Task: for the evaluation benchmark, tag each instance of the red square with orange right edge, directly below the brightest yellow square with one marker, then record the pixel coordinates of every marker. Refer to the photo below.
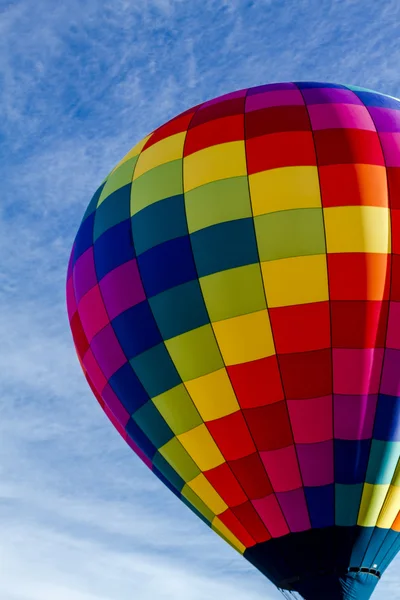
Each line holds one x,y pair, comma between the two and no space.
359,276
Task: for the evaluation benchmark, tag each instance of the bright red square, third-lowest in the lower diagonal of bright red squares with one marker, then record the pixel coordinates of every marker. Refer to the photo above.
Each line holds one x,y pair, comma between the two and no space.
232,436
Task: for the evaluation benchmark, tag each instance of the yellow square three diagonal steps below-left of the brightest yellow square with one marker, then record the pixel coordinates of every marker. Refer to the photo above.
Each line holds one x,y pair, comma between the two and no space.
213,395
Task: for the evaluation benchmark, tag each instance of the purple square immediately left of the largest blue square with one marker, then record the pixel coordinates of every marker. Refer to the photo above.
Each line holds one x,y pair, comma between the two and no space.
122,288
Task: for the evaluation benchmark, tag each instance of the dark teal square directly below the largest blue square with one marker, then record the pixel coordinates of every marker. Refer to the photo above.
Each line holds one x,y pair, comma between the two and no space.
179,309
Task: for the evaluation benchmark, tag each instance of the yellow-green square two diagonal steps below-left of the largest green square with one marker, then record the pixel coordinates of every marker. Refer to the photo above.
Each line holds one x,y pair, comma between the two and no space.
195,353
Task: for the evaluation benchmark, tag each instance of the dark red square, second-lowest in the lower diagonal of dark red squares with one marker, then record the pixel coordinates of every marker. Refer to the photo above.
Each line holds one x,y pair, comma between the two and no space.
251,474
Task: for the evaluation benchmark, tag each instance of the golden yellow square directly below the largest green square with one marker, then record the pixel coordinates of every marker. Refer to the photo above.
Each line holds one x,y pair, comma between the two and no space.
297,280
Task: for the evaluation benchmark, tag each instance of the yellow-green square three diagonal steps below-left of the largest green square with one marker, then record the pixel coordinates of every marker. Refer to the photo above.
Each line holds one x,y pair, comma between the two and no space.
178,410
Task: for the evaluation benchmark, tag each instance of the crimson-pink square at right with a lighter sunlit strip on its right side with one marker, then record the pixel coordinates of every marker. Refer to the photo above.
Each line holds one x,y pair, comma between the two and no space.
357,371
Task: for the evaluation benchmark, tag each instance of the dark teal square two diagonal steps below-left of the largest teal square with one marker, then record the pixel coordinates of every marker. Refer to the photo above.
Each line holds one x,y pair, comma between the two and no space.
156,370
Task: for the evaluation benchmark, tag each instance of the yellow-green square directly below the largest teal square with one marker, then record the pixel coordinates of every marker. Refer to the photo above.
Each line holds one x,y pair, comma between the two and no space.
233,292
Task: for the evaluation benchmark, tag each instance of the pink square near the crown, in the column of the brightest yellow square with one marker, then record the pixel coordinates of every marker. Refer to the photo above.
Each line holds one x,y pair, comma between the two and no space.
346,116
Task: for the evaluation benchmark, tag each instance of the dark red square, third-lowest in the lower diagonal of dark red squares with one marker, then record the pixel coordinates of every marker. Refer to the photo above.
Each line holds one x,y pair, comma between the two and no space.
269,426
